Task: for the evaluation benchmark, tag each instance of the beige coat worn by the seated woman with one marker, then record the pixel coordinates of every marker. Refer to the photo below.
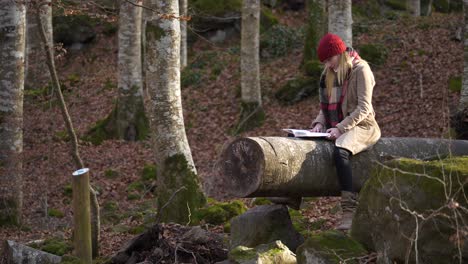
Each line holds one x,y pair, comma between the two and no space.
359,129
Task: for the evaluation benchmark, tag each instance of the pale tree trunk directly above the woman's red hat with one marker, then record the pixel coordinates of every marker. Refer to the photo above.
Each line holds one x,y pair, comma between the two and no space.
340,20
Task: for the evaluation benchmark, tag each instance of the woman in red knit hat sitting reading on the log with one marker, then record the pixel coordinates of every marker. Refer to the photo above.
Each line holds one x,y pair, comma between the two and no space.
346,113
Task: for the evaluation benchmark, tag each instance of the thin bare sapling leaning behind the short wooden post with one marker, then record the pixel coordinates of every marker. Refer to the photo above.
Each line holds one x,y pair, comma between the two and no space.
95,214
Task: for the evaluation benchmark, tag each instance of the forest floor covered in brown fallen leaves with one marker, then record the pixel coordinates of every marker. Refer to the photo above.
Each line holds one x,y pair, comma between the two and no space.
411,99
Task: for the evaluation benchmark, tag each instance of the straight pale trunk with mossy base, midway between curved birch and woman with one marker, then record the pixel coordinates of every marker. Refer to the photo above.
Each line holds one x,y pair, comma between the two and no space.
252,113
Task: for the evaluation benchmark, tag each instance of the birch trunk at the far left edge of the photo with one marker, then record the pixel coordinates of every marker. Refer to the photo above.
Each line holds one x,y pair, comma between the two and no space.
12,58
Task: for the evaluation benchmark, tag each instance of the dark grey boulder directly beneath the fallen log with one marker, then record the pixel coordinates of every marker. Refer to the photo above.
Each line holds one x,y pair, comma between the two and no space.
264,224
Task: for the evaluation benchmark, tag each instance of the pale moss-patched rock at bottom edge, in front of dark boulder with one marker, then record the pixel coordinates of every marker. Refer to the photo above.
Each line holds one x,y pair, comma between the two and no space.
274,253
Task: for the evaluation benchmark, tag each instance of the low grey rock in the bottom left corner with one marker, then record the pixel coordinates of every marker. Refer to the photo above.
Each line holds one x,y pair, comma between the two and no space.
15,253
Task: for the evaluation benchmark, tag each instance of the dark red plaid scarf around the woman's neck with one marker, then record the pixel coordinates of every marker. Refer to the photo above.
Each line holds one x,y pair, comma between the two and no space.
331,106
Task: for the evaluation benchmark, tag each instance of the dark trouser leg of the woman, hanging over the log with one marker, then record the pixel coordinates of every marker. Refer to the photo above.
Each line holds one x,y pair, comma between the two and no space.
343,168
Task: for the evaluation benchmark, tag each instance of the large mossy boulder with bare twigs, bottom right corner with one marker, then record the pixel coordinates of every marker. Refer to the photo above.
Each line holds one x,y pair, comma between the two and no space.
403,192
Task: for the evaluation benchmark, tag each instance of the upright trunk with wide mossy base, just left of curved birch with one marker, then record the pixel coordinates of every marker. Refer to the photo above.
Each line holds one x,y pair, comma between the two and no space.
130,119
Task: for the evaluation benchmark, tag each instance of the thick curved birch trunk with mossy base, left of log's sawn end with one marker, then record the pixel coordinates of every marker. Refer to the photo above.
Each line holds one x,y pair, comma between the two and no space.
179,192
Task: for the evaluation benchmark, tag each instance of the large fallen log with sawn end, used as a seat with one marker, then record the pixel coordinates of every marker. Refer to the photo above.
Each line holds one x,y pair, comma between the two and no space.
286,166
